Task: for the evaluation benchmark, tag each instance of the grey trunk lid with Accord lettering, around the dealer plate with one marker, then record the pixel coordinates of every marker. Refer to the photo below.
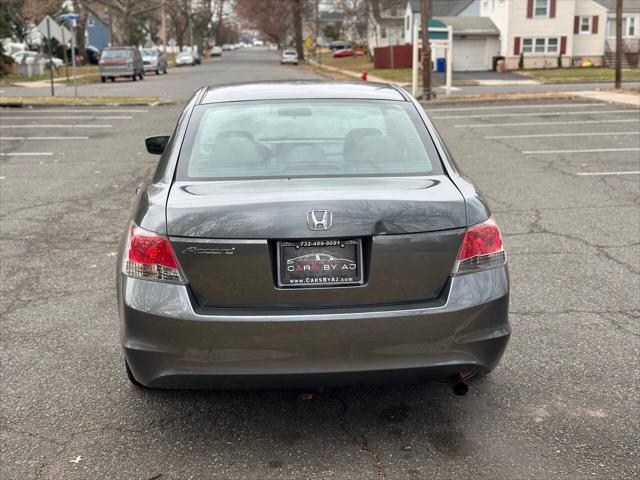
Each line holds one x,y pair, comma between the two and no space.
226,234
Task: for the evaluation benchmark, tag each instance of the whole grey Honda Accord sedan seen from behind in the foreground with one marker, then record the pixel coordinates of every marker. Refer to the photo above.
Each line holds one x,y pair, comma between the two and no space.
309,234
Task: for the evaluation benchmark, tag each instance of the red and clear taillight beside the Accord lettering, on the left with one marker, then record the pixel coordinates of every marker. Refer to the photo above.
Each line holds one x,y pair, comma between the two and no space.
150,256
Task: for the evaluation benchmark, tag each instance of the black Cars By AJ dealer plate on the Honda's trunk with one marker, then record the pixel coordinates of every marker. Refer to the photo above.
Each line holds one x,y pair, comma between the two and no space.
317,263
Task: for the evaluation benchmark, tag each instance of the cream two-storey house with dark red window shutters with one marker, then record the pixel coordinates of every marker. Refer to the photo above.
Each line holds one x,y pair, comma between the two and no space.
549,33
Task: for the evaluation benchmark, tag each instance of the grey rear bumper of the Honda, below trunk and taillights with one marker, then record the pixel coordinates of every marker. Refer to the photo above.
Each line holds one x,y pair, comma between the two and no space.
169,344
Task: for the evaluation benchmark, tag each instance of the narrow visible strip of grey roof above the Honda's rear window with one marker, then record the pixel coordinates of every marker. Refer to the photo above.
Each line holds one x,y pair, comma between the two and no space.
291,90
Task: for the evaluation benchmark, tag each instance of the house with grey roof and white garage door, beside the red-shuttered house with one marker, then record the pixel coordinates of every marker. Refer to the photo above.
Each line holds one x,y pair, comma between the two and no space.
475,39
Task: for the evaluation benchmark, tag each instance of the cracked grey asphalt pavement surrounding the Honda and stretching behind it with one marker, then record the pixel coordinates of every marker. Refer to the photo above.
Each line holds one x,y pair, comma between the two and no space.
562,179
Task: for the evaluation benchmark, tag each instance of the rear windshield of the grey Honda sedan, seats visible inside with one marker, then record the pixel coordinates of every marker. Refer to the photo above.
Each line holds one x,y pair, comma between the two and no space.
306,138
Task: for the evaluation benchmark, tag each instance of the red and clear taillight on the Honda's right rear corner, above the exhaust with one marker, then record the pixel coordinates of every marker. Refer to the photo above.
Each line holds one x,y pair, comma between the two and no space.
481,249
